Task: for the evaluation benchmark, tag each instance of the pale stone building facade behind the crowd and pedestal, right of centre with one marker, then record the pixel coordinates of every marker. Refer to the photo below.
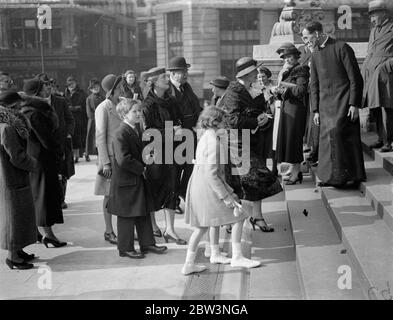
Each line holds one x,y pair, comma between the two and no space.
211,35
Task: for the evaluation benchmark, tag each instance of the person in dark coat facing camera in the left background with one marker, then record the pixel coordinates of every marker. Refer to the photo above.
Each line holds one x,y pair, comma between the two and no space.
76,99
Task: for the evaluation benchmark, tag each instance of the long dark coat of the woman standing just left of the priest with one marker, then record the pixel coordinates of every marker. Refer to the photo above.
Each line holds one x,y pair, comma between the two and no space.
293,116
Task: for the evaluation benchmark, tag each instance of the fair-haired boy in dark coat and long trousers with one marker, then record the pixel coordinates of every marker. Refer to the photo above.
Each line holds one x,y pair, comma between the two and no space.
129,197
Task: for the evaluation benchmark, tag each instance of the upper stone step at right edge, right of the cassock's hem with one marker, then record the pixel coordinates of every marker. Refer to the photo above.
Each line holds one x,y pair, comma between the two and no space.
378,191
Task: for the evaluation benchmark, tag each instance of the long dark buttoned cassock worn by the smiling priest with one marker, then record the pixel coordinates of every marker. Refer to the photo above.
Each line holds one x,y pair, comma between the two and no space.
336,84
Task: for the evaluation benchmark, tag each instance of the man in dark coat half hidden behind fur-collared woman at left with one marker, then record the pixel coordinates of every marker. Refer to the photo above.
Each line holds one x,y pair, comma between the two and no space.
64,132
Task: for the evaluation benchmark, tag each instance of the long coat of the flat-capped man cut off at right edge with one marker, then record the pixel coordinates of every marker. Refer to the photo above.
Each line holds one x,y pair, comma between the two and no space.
376,69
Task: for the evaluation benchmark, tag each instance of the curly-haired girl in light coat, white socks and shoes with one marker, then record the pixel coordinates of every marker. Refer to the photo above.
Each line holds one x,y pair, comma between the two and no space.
210,201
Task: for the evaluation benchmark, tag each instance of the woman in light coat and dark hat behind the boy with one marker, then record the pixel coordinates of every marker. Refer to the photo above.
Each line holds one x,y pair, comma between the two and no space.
107,122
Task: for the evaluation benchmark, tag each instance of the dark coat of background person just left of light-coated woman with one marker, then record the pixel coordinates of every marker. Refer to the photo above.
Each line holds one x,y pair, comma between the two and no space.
92,102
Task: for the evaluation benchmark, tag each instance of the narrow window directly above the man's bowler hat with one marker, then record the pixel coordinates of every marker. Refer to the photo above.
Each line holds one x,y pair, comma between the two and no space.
175,34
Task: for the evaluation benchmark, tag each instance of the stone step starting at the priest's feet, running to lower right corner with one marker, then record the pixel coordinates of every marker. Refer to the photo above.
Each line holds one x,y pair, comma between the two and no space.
366,237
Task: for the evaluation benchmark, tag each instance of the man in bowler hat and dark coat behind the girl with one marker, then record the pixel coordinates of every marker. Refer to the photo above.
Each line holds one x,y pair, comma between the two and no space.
190,108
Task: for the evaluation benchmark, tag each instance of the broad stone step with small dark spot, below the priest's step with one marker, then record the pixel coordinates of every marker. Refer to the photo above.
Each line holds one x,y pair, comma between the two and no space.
319,252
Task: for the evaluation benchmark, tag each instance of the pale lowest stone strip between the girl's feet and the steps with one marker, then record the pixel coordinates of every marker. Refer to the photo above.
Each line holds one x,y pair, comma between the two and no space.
277,278
